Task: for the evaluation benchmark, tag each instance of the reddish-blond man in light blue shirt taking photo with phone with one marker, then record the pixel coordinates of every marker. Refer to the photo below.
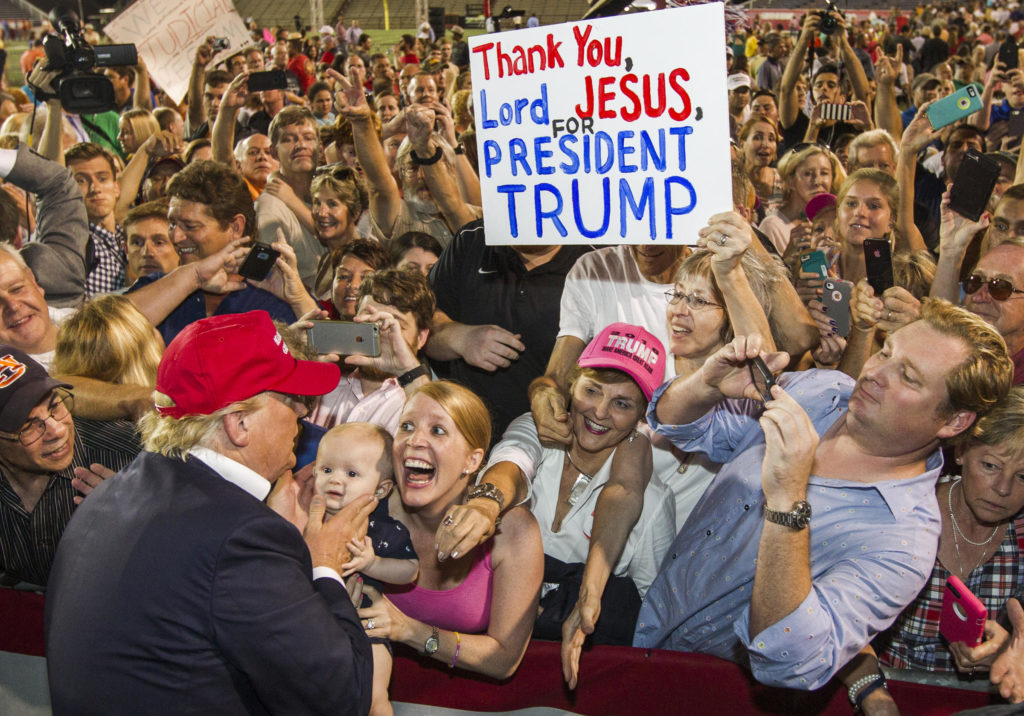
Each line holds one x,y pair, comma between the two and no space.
823,524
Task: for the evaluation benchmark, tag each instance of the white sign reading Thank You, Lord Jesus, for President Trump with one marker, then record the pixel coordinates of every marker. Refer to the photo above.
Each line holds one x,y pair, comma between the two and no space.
606,132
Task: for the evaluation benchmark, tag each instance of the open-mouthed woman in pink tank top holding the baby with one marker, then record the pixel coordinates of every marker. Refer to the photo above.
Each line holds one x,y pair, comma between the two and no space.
473,611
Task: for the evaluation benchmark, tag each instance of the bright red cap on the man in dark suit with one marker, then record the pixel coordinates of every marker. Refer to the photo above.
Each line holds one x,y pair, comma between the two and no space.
226,359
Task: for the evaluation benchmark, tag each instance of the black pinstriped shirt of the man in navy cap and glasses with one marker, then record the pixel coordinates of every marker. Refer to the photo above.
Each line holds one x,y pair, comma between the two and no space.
29,540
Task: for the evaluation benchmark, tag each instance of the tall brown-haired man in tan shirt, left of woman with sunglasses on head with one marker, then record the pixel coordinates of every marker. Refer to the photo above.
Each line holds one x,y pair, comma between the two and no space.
295,143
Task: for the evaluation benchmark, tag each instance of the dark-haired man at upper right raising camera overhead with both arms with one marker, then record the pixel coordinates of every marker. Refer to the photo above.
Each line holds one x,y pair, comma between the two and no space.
827,85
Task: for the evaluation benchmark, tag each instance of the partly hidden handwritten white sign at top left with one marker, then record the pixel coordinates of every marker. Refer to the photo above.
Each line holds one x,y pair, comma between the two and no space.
167,34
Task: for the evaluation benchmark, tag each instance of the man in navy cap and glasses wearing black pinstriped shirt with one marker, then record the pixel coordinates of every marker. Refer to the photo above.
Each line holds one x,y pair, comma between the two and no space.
39,449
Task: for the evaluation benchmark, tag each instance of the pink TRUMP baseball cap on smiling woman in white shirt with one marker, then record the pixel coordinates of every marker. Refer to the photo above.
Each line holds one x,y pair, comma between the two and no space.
631,350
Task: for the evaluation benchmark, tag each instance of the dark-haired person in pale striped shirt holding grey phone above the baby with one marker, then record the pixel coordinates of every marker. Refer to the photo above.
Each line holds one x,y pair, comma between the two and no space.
403,305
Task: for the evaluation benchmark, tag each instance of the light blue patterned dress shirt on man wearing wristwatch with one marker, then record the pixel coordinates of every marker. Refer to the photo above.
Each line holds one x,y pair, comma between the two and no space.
873,546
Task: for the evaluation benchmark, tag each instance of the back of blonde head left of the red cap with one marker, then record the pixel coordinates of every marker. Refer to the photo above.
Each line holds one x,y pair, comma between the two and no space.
109,340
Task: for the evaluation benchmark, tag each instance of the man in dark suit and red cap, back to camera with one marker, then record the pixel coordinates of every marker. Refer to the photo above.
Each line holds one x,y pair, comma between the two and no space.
177,588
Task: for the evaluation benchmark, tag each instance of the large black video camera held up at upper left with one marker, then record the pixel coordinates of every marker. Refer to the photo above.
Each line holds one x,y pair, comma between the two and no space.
80,90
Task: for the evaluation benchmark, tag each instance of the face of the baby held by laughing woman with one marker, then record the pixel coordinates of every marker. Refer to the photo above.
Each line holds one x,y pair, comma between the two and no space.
347,471
